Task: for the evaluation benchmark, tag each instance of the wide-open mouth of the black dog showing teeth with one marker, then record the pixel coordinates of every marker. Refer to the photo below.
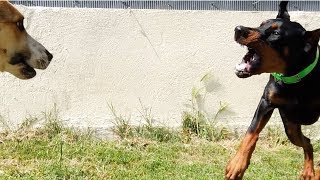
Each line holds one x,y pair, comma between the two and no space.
249,64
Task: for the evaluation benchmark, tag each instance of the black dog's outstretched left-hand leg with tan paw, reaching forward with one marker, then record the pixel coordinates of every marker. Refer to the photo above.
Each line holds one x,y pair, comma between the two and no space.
241,160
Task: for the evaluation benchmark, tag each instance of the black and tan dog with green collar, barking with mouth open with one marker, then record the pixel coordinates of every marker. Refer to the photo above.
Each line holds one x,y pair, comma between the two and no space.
291,54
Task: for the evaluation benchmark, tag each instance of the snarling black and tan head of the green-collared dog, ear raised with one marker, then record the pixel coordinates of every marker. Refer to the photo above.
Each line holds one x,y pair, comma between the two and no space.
277,45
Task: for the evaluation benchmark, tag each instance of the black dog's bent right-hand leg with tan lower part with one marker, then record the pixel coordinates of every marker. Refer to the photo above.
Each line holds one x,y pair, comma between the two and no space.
295,135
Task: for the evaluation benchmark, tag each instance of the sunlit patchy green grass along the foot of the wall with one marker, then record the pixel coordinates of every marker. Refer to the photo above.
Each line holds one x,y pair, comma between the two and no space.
53,151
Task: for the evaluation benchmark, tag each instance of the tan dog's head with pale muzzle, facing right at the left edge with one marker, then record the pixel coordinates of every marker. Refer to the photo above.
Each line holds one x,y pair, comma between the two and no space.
19,52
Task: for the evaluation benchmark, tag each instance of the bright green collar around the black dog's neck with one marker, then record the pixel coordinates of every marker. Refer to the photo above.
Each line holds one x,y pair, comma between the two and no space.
297,78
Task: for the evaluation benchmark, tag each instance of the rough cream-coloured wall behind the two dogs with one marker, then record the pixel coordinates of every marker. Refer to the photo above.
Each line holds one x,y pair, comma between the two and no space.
113,56
